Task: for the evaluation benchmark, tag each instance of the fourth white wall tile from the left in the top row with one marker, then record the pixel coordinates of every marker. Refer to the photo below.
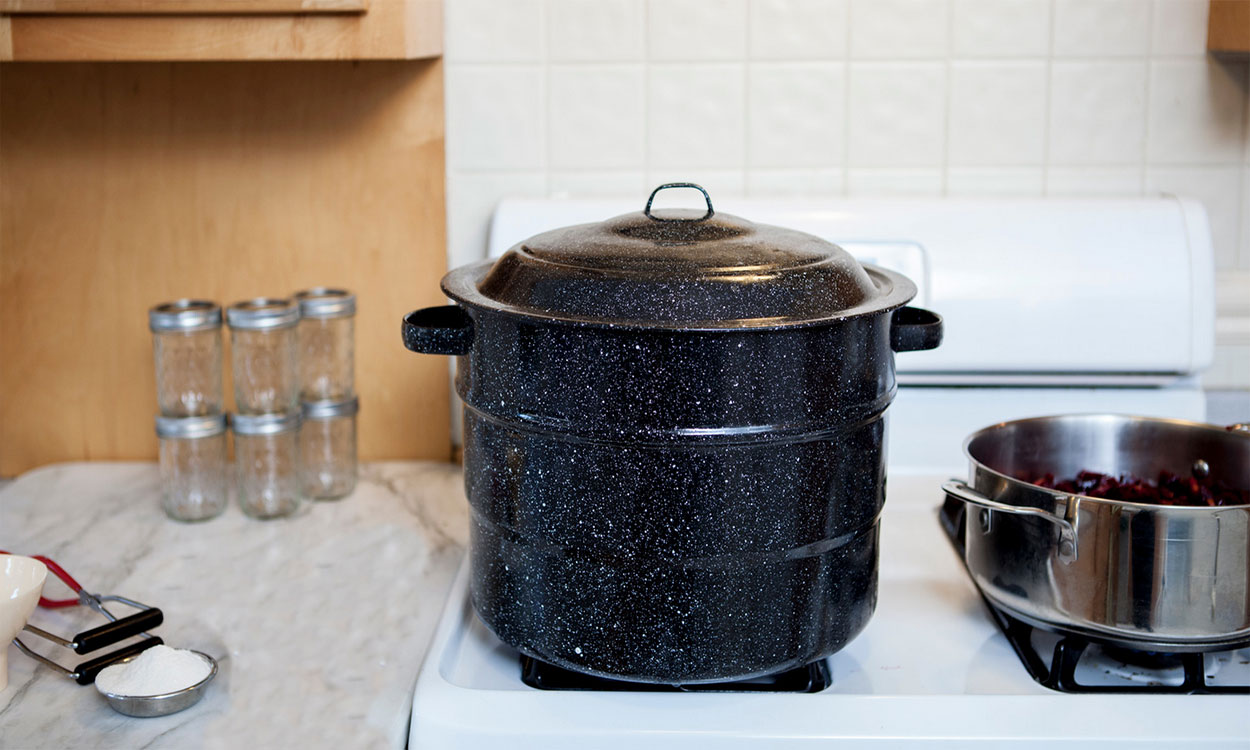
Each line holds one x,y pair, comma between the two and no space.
798,29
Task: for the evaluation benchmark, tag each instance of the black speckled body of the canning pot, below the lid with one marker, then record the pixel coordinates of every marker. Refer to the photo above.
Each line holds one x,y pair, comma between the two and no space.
676,507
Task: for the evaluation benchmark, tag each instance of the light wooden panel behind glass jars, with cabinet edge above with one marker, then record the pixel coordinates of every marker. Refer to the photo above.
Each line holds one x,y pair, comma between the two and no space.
123,186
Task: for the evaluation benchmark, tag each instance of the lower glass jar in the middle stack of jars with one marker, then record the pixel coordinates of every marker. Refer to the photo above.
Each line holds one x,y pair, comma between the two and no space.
267,463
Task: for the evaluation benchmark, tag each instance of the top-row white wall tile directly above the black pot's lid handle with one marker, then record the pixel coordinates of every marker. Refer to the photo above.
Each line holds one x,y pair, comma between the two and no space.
697,29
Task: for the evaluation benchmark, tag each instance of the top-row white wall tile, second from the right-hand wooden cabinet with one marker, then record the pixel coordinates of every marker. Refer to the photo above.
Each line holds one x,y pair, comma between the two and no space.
1102,28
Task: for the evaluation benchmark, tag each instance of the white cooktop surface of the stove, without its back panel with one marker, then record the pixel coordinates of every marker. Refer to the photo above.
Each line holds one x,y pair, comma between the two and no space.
932,669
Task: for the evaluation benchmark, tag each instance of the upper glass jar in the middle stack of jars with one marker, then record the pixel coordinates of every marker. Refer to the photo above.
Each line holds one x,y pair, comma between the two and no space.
264,357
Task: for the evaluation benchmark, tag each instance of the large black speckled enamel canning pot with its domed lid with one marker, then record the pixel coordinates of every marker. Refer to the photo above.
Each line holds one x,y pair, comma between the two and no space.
674,429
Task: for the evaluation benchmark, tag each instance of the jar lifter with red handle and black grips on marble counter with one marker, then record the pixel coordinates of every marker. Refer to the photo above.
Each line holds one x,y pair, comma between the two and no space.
117,629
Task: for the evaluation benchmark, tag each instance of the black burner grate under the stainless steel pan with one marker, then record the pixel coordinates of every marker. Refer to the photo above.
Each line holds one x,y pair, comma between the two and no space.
1066,672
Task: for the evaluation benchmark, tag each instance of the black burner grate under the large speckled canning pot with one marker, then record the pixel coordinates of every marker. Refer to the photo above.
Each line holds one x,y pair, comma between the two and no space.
812,678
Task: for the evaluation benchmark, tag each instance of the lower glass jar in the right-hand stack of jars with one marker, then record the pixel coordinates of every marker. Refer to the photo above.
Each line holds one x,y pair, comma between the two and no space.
328,449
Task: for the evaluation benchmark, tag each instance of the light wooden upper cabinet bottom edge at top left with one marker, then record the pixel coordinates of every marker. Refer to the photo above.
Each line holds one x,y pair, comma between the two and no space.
151,31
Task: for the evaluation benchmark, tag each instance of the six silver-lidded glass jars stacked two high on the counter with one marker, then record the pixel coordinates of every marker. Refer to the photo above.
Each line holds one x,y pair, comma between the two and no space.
296,406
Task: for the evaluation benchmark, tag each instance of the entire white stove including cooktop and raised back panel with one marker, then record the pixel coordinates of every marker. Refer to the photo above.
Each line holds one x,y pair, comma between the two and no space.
1052,308
